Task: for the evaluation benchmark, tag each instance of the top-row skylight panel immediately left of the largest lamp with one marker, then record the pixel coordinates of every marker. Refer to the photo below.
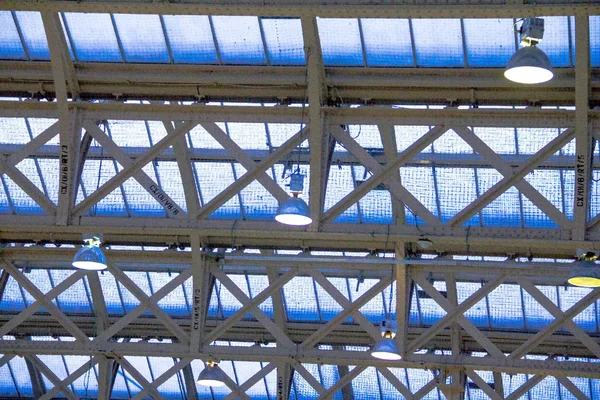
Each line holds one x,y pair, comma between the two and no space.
489,42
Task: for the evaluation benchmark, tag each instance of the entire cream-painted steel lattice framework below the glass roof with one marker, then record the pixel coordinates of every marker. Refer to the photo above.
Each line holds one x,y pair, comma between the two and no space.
86,94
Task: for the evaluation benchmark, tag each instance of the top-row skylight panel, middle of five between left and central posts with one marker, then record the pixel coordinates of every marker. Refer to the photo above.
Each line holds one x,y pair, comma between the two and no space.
191,39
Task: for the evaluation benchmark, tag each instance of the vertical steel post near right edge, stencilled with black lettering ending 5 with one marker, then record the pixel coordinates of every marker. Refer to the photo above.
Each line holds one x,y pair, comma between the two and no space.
583,138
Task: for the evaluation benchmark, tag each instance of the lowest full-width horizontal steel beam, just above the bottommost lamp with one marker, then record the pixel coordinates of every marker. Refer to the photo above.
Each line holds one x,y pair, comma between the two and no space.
330,357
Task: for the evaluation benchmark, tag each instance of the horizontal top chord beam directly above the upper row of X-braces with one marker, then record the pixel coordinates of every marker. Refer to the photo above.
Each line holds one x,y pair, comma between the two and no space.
366,115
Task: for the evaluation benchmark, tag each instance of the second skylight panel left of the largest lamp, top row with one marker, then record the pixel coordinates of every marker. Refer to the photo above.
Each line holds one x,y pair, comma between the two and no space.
438,42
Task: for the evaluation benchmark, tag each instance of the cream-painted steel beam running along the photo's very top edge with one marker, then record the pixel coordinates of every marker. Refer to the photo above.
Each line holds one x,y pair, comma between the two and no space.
327,8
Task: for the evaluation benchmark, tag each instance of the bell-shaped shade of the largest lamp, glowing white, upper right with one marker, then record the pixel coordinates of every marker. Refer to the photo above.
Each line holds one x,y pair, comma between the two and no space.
529,65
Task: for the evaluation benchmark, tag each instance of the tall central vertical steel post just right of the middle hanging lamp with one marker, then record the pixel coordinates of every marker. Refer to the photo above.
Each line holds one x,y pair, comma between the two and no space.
317,93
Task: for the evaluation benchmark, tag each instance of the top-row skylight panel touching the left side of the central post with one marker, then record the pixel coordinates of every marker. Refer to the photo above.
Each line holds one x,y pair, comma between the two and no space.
283,38
